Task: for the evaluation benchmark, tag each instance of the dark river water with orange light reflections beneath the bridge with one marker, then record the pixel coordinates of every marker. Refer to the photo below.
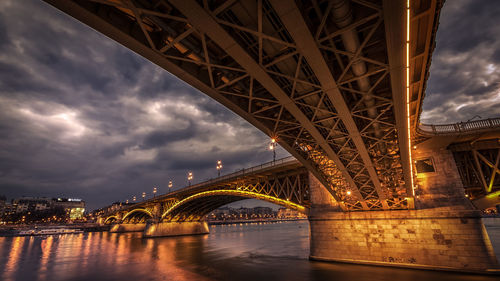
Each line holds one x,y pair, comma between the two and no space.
253,252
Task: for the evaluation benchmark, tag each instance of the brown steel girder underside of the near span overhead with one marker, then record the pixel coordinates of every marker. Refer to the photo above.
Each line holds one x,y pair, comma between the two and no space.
242,54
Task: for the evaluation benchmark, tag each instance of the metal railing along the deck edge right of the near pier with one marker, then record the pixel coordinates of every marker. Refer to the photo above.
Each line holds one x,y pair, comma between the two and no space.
459,128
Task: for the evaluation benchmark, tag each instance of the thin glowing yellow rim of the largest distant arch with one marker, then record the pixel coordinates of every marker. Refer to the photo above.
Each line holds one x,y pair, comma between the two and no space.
237,193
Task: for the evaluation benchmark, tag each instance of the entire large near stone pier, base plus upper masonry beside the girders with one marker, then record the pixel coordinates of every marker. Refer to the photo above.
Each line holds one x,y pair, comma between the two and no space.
443,232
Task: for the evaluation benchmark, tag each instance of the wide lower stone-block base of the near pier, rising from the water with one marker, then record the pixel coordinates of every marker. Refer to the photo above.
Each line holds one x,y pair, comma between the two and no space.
436,238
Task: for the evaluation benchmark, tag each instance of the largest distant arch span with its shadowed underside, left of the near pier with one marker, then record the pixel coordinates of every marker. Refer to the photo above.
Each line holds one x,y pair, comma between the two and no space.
196,206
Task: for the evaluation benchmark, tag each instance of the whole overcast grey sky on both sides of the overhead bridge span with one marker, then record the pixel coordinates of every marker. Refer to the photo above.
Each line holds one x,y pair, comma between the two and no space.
82,116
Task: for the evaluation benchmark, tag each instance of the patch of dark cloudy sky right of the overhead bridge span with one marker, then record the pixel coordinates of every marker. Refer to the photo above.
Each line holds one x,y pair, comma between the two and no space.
465,71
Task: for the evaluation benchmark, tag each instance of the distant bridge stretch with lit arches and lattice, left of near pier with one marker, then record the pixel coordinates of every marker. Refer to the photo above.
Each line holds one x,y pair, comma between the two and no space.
284,182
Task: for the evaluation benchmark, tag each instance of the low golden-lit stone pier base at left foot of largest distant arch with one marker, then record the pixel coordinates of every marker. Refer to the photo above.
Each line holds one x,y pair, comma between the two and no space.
154,229
